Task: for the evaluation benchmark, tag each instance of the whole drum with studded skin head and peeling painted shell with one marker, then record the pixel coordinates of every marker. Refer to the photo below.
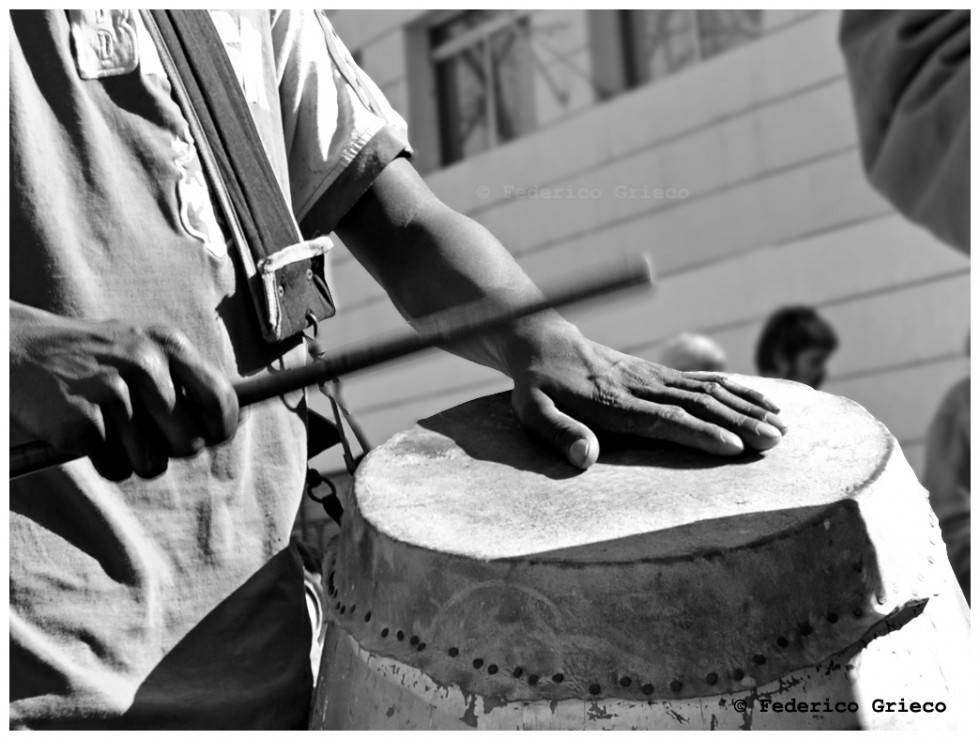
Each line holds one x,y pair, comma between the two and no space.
481,582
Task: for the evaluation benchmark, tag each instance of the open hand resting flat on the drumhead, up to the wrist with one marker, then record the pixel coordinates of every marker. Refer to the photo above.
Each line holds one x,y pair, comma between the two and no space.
566,386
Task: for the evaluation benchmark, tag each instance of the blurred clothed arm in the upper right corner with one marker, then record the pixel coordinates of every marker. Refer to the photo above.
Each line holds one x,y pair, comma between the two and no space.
910,78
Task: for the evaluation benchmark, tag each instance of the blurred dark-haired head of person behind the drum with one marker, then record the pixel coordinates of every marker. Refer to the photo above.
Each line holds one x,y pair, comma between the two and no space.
796,344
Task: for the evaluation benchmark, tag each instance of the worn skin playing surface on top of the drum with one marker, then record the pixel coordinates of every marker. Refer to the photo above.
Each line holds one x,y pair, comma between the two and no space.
477,485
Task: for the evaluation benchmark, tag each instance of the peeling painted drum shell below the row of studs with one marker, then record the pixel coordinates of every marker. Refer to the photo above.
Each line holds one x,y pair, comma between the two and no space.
921,656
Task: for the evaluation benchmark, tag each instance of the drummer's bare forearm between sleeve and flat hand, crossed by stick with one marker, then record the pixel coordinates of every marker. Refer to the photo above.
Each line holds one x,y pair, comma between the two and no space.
431,259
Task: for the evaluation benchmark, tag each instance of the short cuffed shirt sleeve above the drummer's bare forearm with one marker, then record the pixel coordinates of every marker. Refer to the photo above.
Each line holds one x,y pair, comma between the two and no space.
339,130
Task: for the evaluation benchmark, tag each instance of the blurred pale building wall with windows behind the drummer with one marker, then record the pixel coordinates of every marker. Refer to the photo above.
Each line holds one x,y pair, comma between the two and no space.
720,142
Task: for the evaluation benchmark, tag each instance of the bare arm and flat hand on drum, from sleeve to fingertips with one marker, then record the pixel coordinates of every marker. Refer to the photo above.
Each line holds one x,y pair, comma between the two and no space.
430,258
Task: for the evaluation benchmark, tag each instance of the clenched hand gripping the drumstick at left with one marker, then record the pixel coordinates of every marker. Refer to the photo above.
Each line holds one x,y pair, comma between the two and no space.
128,397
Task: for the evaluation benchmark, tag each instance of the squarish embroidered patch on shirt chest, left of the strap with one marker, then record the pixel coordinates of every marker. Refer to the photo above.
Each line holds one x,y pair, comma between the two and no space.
104,42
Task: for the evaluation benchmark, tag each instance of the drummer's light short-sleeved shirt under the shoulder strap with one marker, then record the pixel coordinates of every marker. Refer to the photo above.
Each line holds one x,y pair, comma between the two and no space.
173,602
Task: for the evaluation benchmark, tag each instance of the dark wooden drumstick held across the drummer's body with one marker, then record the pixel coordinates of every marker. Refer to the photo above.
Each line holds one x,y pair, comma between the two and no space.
446,327
